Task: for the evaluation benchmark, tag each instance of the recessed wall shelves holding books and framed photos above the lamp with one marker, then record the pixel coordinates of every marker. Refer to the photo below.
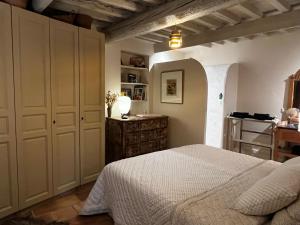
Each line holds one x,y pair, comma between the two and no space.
138,88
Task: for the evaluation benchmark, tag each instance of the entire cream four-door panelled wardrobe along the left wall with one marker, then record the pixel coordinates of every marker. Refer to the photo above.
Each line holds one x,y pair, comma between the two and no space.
58,74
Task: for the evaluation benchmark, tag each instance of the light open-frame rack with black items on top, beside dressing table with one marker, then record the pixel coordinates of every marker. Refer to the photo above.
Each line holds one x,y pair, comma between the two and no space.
235,124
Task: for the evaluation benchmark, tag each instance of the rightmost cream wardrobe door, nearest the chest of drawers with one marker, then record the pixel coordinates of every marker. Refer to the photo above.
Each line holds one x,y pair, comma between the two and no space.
91,48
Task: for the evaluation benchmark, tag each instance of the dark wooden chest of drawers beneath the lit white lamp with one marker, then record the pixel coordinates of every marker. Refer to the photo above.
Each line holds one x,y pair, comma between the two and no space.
135,136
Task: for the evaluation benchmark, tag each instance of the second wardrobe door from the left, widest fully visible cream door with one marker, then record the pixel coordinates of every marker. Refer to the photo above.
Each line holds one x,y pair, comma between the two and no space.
33,105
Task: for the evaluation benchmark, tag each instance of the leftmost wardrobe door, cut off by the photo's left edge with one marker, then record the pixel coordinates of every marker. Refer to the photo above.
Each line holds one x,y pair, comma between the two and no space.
8,160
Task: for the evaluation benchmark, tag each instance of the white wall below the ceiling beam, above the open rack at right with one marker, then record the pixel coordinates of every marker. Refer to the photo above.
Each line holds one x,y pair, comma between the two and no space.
265,65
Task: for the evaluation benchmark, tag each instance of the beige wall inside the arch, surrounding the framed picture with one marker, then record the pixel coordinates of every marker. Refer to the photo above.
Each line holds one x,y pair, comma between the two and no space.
187,120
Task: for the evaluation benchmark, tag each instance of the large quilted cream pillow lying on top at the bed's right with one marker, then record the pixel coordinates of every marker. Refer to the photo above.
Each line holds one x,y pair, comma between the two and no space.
272,193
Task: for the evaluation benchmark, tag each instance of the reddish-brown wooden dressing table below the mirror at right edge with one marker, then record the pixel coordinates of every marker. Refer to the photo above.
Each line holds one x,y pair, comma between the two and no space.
284,134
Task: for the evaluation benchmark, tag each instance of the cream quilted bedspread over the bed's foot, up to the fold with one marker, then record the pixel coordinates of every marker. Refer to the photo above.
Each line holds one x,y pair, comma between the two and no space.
146,190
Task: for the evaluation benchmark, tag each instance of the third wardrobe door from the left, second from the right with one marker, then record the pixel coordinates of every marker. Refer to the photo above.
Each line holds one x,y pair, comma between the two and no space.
65,105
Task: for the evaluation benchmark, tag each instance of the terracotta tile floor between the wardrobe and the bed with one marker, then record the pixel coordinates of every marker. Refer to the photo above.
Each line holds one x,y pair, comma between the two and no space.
66,207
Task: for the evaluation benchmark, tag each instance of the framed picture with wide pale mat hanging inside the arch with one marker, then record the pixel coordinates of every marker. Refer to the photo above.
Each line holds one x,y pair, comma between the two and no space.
172,87
